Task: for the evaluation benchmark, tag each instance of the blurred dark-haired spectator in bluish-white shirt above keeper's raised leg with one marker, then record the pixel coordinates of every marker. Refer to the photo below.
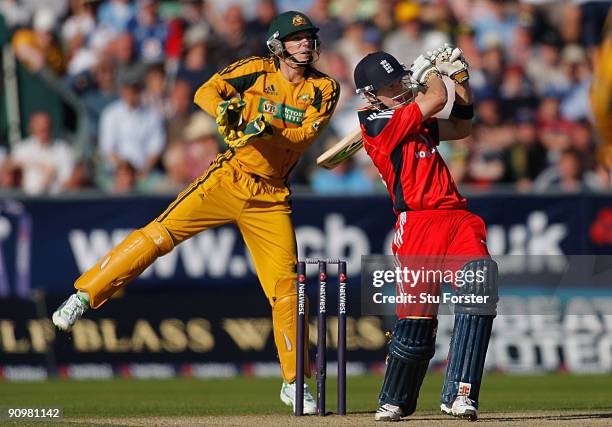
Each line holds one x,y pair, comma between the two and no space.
130,131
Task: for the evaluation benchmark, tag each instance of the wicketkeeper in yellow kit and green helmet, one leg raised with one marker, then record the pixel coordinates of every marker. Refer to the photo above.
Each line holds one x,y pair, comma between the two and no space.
269,110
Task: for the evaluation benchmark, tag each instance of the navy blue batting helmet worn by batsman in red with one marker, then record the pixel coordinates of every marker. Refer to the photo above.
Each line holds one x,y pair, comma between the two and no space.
376,70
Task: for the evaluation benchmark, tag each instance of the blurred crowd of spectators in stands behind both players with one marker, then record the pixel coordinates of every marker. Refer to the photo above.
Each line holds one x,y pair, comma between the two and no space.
135,66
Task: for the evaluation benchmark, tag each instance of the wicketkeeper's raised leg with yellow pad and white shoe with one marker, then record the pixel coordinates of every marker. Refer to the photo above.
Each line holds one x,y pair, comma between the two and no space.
208,202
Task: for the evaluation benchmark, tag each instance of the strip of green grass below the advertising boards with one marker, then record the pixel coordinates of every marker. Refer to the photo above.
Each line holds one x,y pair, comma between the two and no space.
509,400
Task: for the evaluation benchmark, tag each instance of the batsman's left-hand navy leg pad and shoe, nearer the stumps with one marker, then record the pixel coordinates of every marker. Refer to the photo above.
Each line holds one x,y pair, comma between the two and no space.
412,347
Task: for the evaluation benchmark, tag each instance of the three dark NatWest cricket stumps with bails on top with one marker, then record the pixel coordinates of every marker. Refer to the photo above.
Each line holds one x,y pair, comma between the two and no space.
321,357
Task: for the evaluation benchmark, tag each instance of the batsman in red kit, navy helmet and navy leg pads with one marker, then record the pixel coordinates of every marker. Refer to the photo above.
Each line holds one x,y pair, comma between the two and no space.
401,136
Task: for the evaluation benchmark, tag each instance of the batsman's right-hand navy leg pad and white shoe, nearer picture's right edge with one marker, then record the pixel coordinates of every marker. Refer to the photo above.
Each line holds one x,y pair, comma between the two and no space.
470,340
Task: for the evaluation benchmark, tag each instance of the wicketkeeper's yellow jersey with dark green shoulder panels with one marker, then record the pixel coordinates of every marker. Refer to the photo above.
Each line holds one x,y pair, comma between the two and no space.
299,111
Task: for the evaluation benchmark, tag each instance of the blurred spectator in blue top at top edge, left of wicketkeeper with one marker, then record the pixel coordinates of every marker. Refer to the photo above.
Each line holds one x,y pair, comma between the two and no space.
150,32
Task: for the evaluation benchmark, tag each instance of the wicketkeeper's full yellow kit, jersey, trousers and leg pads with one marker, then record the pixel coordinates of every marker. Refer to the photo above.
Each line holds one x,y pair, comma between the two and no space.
246,186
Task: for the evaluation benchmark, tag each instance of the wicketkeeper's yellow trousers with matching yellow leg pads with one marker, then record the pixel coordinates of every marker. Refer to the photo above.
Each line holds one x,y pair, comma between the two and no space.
224,194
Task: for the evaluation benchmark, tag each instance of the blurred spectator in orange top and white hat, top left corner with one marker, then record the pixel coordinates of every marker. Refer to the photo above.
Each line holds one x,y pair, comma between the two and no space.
36,47
